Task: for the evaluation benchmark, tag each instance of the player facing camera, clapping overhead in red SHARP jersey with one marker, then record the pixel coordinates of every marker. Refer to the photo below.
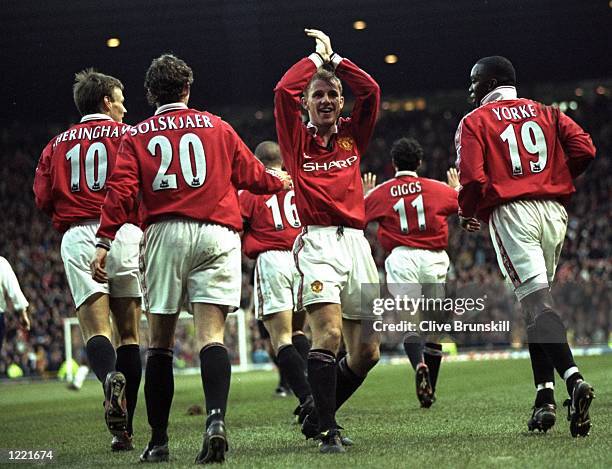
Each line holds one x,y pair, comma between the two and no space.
332,256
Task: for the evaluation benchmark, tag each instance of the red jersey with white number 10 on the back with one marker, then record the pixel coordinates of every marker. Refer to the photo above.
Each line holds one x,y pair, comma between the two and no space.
72,173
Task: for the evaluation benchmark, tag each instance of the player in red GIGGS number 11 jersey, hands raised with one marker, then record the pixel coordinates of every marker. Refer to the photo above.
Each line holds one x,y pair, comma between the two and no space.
412,213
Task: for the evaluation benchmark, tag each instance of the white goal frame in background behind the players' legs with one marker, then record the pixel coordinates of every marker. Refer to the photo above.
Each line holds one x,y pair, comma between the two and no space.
183,326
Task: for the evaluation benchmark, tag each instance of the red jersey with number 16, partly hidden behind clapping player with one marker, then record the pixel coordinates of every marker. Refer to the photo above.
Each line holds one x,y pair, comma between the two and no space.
273,222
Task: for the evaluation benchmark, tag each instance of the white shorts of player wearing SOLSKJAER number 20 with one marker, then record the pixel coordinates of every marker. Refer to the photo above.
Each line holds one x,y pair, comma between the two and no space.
186,261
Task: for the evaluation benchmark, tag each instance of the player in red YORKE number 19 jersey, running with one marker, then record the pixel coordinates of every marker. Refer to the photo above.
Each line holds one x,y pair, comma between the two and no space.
517,159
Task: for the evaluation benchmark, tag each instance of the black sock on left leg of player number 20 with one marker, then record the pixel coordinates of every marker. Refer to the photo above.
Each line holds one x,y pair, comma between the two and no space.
159,391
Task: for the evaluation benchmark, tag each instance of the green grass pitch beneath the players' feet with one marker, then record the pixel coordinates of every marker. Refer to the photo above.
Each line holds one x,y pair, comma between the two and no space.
479,420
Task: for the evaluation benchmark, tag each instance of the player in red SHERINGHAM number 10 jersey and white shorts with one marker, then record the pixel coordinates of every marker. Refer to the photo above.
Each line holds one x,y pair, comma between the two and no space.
70,186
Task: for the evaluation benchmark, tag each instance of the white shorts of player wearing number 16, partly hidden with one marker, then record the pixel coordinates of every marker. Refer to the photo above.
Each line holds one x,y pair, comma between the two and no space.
275,276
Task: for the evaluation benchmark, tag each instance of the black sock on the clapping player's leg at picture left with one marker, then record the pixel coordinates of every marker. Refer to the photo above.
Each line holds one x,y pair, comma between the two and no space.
322,378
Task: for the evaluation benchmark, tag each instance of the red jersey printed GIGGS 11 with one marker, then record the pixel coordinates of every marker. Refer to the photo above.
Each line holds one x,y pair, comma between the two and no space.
411,211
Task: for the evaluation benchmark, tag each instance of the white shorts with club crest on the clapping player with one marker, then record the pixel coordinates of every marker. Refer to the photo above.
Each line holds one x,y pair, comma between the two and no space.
333,265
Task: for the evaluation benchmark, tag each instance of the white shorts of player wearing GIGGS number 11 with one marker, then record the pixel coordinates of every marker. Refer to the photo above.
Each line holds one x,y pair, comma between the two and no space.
409,269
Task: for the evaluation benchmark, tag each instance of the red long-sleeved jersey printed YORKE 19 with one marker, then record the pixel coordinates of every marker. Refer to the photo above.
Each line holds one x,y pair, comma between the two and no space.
513,148
